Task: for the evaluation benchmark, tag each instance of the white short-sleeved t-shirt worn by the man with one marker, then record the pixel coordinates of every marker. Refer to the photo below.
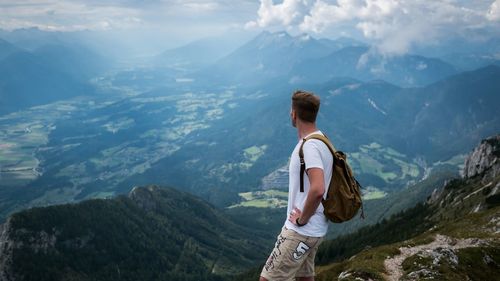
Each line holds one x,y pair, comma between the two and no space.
316,155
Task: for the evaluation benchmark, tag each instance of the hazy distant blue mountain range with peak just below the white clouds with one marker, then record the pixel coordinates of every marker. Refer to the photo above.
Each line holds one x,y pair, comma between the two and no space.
304,59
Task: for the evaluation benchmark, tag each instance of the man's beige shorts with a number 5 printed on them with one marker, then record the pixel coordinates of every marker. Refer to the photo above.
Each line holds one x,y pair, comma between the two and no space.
293,256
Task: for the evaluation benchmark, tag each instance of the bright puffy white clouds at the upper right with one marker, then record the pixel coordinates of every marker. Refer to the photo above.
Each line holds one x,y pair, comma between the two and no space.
393,26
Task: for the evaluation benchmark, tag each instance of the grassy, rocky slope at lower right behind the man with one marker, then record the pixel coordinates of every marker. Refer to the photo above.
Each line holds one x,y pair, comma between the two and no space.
453,214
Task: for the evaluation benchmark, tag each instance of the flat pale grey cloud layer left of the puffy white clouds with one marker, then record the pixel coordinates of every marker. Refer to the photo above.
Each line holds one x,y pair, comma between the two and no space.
72,15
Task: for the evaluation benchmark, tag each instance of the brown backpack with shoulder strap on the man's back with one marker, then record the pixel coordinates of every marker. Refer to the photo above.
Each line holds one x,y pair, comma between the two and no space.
343,198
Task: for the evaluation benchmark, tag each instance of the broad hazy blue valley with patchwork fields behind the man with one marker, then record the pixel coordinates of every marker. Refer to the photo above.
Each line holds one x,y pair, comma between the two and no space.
98,147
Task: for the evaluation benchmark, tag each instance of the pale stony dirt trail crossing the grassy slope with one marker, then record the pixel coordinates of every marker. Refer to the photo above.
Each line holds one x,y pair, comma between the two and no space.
393,265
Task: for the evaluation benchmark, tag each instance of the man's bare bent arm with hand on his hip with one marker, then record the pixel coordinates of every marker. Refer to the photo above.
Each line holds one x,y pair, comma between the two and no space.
314,197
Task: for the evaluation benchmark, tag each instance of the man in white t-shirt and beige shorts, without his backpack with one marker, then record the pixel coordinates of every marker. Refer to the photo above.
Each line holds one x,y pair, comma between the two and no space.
296,245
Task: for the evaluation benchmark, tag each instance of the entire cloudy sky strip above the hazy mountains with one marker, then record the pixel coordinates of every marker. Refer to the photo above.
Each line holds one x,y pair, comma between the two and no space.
392,26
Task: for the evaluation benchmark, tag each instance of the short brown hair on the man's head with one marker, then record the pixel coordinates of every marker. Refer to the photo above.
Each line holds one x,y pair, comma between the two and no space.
306,104
